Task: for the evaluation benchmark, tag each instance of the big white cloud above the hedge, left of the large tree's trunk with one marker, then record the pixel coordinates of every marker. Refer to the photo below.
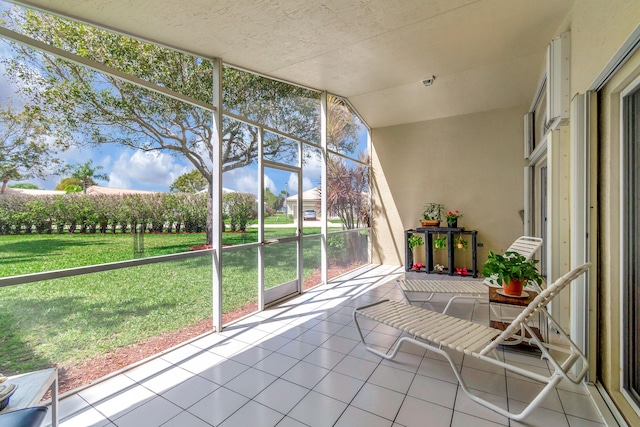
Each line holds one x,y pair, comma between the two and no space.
145,171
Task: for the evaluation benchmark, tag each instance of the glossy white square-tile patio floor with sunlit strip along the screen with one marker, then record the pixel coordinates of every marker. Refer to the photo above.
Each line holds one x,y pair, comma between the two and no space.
302,364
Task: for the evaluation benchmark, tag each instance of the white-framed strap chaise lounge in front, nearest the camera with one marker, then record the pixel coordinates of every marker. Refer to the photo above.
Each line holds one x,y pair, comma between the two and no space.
437,332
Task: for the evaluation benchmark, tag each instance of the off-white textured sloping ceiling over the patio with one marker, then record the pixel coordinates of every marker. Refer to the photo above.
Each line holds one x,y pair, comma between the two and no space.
485,54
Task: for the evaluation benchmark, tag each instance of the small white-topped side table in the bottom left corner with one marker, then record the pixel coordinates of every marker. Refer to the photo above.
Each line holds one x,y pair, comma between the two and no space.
32,387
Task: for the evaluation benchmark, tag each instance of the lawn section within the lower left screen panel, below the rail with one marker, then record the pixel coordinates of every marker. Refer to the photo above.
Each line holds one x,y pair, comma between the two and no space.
66,321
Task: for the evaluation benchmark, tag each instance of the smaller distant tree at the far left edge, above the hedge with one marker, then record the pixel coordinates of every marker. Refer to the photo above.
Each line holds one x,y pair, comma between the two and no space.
24,152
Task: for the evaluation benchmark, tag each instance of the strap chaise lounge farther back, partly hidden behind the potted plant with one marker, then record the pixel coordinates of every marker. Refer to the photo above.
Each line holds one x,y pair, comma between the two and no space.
412,289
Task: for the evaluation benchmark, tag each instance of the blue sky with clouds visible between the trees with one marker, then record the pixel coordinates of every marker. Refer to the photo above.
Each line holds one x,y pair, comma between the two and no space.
135,169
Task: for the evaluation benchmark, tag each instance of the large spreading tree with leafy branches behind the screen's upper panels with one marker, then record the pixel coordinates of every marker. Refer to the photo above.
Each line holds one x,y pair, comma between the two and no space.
98,108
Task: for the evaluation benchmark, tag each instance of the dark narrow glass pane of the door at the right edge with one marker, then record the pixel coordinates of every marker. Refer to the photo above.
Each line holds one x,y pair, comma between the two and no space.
631,233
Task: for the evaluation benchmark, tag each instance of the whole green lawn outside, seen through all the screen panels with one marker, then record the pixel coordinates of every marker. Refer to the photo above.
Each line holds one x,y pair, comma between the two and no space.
65,321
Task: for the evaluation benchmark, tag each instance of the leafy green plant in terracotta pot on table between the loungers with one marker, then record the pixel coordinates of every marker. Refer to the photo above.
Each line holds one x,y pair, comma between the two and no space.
512,271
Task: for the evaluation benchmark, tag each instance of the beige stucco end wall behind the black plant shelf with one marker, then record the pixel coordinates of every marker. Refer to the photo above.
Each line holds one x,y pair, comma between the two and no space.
473,163
